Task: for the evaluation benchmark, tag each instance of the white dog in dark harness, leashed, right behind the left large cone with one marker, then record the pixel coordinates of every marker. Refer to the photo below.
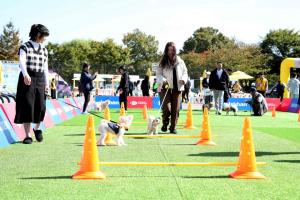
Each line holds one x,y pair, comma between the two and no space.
119,129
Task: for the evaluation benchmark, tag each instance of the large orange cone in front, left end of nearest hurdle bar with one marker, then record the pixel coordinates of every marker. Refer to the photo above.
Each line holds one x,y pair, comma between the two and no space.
89,168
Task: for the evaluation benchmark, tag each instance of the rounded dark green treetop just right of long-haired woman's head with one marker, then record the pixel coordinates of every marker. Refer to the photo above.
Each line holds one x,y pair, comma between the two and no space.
204,39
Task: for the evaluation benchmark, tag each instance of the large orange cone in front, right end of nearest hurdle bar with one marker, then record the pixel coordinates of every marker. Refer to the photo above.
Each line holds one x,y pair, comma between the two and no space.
247,162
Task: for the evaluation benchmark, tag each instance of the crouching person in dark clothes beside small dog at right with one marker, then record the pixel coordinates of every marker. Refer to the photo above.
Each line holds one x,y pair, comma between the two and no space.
258,103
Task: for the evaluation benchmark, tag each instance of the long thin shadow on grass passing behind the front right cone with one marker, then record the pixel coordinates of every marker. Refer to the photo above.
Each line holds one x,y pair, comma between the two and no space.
235,154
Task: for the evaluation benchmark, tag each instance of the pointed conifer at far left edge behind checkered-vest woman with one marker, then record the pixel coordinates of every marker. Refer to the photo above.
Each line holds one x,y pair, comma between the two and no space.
9,42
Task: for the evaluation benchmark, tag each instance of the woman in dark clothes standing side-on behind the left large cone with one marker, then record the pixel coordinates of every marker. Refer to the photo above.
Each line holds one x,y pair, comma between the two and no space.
86,83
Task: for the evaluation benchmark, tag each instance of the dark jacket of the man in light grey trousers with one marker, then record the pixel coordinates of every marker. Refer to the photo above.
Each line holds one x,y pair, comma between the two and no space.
217,83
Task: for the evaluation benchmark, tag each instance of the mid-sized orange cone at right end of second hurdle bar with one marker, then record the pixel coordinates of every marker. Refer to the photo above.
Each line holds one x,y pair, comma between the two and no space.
205,134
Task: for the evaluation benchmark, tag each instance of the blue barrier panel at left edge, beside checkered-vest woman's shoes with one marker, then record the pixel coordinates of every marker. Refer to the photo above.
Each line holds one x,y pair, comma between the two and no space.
7,134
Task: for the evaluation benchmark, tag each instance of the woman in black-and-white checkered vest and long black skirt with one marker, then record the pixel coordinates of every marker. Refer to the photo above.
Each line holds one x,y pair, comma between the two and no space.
33,83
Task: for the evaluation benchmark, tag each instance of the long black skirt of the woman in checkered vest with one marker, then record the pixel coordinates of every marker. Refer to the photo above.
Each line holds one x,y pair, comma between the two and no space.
30,99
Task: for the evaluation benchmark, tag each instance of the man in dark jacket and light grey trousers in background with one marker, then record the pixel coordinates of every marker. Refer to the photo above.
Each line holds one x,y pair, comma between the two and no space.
218,83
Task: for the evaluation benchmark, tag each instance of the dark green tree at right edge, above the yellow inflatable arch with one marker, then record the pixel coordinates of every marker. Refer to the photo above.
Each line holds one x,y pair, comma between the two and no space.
280,44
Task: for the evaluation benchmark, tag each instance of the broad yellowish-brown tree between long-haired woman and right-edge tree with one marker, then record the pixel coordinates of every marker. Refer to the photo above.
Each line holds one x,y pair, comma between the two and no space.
237,56
